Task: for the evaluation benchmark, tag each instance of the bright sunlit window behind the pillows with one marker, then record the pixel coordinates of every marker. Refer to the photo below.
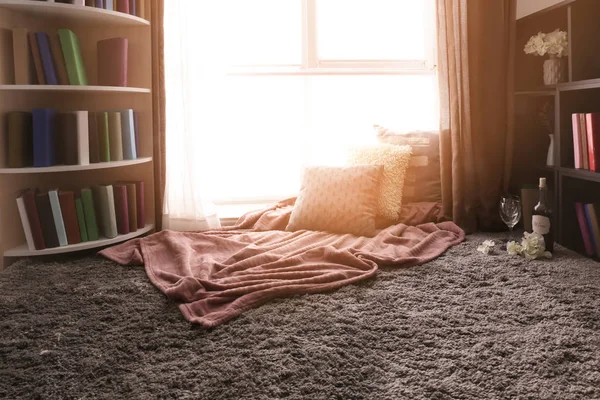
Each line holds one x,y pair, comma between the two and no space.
280,84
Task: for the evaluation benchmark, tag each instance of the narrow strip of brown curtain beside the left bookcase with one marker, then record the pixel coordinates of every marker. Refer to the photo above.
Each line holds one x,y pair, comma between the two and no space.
158,107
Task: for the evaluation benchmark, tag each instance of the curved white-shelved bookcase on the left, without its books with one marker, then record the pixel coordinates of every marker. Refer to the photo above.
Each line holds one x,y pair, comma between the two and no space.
90,25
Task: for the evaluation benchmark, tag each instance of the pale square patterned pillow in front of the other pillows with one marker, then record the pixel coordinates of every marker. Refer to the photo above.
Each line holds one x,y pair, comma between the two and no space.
338,199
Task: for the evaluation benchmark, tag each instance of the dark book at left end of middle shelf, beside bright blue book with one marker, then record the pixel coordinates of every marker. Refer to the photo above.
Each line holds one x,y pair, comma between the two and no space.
20,139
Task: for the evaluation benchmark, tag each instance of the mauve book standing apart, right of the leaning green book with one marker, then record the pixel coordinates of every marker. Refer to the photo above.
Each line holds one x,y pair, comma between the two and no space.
112,61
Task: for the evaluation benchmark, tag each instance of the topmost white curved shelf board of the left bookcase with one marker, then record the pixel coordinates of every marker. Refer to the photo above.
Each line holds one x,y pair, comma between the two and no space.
72,13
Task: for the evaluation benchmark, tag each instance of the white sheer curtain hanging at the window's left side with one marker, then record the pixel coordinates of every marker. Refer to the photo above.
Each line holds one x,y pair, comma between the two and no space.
188,205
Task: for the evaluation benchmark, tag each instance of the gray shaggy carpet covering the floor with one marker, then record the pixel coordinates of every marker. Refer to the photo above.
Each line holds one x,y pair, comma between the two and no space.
465,326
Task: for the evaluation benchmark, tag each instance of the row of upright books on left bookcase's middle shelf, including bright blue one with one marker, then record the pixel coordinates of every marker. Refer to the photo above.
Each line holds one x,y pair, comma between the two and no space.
45,137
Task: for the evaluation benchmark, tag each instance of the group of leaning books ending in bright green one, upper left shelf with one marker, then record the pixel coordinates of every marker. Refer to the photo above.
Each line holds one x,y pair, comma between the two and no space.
56,58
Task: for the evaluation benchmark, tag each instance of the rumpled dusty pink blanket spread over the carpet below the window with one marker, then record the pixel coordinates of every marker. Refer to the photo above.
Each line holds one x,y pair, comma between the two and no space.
217,275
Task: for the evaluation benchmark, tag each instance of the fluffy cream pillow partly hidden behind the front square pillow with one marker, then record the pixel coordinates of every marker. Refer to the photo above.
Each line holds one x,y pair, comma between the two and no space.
395,161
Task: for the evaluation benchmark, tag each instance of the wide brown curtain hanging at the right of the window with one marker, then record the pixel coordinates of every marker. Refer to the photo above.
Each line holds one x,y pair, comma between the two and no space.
476,72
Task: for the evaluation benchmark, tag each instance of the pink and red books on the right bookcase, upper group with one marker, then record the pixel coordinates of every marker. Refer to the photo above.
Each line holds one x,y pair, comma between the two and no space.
586,140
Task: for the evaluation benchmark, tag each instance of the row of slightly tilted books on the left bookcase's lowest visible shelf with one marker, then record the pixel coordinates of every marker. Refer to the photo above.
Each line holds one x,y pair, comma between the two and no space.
56,218
